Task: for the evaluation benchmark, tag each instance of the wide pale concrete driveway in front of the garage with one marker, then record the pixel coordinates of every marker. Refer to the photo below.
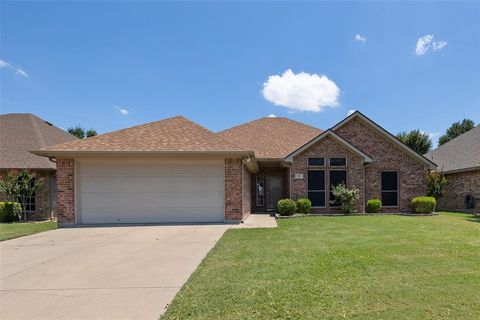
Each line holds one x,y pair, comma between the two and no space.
100,272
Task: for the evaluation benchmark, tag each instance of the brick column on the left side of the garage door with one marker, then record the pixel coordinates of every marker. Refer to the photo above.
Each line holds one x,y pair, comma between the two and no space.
66,190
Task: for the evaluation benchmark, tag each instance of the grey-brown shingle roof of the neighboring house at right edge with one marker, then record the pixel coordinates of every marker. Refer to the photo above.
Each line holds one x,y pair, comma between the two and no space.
461,153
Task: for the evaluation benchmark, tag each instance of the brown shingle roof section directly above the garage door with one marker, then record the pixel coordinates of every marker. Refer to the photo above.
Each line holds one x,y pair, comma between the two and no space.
175,134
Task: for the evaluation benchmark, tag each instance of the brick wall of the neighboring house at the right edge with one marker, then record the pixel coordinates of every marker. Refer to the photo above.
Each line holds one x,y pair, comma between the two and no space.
457,187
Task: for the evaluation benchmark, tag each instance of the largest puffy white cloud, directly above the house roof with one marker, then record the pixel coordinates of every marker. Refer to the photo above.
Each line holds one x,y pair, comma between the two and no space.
301,91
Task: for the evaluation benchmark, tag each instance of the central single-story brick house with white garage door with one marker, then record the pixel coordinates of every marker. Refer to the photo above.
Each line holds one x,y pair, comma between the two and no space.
176,171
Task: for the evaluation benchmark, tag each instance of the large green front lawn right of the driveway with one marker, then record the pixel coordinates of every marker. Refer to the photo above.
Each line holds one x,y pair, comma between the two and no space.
370,267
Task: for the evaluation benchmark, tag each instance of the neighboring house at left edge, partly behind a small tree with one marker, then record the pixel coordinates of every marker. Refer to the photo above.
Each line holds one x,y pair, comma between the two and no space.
20,133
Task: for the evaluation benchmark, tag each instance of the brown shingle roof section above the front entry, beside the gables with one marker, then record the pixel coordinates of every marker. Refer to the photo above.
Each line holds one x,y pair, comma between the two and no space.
271,138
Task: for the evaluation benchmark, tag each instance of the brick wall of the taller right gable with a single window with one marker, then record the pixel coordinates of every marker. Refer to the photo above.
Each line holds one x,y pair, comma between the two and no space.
386,156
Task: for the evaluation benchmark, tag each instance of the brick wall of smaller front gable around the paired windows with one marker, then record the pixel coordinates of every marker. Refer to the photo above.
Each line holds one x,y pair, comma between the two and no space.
328,148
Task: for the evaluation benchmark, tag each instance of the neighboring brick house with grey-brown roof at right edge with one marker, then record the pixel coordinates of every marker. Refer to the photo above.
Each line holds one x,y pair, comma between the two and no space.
459,160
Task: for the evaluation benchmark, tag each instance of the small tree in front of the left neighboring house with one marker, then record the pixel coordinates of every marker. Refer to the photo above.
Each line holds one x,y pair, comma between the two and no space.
20,185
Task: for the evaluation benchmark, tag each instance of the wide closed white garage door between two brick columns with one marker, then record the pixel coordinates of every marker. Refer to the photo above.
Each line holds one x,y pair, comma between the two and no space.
168,191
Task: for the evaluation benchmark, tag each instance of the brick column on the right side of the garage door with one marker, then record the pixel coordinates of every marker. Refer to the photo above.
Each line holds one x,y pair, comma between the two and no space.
233,189
